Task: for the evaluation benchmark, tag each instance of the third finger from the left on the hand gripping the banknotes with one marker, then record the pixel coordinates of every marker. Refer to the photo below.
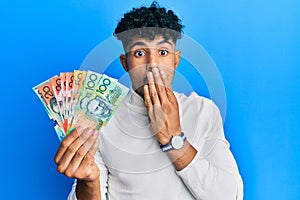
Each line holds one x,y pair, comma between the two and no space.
84,150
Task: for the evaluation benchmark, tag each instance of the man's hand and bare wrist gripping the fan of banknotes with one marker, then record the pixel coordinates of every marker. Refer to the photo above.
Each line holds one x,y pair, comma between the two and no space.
75,159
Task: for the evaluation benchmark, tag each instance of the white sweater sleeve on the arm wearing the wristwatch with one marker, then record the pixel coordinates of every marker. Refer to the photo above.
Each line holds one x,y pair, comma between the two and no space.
213,173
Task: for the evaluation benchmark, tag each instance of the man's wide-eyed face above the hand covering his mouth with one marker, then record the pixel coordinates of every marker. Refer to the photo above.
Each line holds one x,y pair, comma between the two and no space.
142,55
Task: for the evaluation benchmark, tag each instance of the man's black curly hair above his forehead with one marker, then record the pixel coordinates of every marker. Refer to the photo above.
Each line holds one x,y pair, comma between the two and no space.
148,22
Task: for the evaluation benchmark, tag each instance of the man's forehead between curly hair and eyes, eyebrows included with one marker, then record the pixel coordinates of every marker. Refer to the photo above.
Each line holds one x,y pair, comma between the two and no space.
158,41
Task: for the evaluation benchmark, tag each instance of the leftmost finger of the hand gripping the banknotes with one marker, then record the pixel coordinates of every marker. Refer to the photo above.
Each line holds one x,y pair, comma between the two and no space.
66,143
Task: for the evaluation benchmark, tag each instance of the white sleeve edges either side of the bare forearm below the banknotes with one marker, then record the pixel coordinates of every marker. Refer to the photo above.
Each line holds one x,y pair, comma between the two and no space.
103,179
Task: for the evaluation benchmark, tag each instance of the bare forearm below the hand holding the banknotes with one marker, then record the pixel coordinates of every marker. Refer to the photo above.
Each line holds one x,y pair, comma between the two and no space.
88,190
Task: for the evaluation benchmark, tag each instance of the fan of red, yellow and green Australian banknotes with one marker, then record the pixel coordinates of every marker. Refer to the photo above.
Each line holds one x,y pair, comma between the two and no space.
80,98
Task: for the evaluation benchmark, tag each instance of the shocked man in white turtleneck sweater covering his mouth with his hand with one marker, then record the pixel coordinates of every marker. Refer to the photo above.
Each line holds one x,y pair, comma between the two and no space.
160,144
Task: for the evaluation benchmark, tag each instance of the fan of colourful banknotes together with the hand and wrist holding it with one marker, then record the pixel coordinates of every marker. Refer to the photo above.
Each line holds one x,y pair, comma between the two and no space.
81,104
